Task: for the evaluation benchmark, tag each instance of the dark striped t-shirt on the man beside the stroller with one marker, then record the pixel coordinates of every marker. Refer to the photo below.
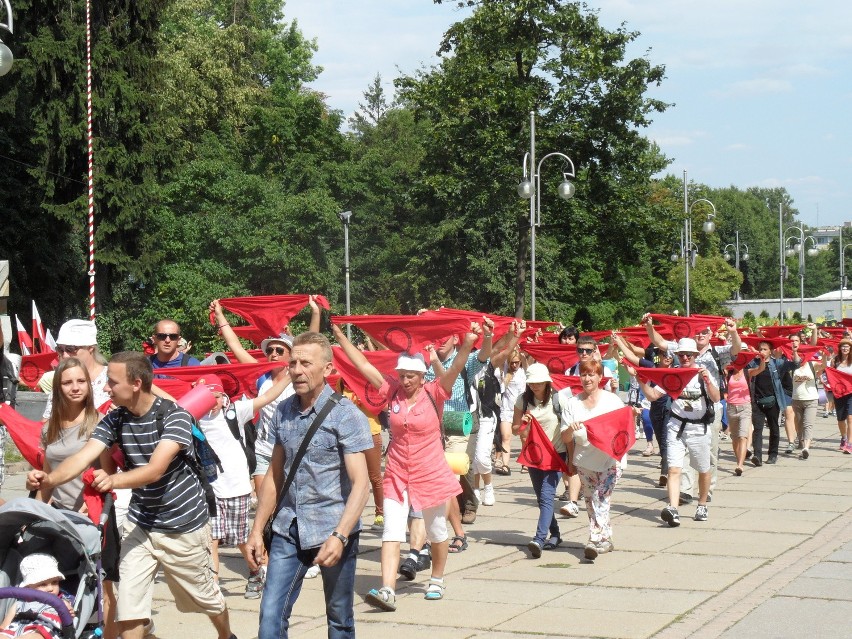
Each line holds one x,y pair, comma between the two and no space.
175,502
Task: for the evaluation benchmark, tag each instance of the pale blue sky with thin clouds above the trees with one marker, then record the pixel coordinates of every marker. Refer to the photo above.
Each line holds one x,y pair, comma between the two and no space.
762,88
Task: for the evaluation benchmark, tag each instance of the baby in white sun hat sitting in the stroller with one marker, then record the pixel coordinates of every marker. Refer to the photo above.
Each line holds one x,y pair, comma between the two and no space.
37,619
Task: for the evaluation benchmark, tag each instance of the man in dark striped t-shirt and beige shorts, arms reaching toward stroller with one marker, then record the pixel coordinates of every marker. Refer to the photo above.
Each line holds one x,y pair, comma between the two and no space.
167,523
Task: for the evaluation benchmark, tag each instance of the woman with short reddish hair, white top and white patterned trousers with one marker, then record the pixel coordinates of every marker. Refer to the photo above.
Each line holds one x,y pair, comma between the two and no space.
598,472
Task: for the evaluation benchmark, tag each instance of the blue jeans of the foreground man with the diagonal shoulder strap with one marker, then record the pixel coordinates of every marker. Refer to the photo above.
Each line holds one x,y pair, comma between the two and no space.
286,569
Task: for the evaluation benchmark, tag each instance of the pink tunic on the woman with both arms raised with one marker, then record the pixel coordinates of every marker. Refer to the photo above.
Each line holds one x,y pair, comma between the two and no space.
415,458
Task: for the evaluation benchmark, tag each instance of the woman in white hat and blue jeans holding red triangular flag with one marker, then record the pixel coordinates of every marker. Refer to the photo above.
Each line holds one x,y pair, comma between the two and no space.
540,400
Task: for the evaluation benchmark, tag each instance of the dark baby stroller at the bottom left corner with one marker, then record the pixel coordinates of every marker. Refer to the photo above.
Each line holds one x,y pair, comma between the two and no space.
28,526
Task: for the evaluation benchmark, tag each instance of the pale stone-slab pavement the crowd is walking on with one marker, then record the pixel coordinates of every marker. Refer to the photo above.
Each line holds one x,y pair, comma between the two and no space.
772,561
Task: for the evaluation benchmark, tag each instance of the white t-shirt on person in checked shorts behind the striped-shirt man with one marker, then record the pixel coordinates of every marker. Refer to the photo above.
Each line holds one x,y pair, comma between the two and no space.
234,480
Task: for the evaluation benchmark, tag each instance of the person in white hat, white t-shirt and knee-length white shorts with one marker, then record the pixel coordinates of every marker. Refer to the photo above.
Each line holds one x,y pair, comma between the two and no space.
689,428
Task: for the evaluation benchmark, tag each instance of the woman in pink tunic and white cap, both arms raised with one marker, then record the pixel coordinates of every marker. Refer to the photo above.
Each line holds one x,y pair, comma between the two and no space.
416,471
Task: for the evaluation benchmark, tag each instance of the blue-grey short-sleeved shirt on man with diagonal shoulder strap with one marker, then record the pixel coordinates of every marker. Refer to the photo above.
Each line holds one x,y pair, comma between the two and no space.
319,491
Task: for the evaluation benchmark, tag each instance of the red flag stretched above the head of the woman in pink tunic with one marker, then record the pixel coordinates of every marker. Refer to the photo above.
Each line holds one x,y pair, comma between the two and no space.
410,333
